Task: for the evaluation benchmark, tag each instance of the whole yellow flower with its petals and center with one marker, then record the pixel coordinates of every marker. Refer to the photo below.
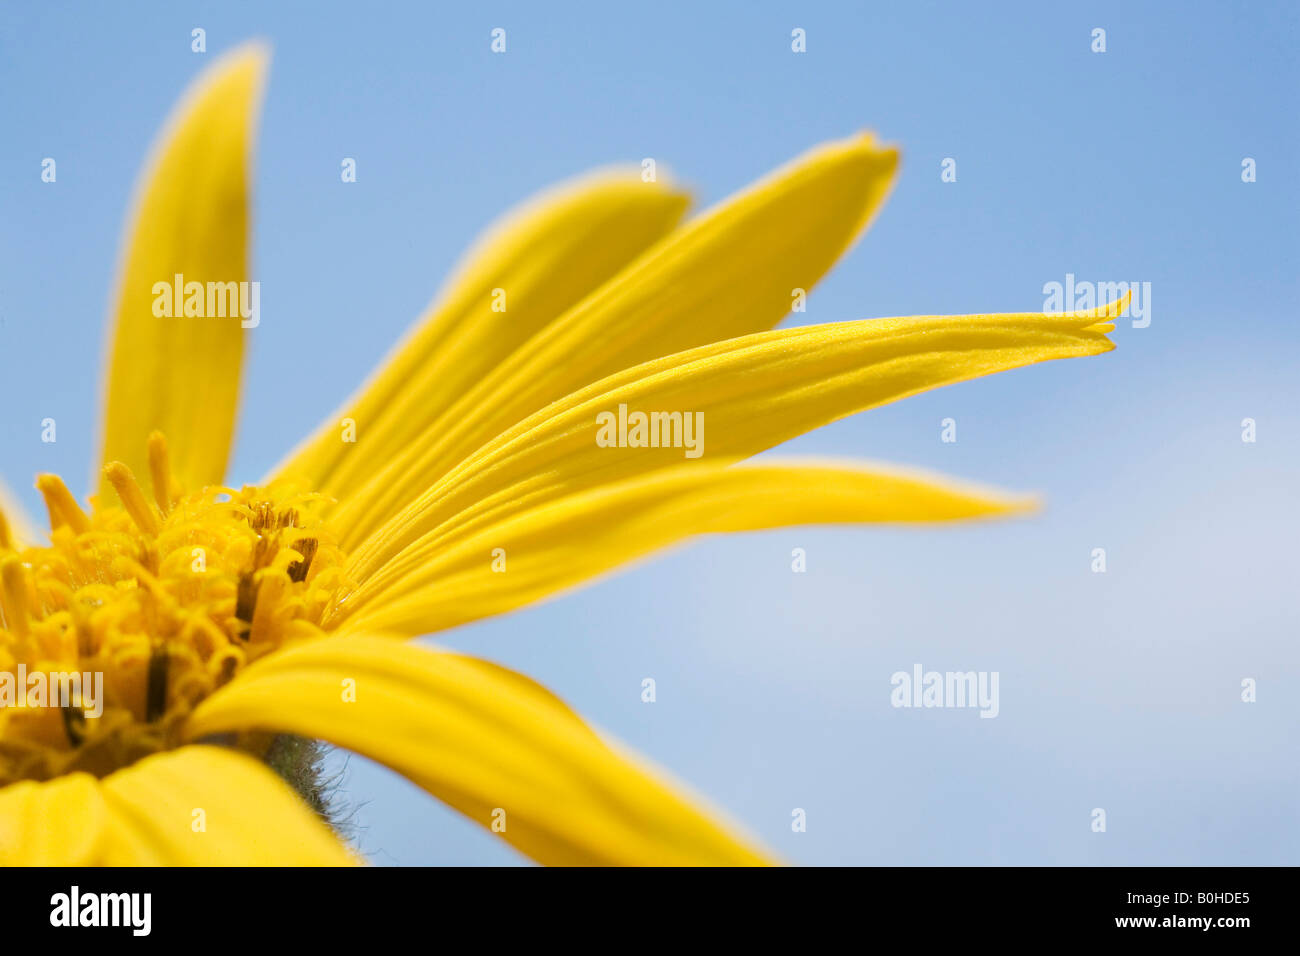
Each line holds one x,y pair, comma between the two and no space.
463,481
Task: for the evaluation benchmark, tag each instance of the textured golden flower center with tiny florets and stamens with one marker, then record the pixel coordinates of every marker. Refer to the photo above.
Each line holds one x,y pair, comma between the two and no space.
136,613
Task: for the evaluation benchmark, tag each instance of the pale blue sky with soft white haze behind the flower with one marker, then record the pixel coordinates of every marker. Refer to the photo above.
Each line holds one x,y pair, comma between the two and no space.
1119,690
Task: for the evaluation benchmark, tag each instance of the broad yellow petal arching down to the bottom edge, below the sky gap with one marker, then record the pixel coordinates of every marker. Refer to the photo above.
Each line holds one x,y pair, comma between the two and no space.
487,741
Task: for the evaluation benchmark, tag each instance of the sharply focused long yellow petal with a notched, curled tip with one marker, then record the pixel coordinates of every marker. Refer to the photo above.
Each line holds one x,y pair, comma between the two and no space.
752,393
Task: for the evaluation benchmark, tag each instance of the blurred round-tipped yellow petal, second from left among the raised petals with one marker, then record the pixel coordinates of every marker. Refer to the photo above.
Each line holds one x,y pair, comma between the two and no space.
525,272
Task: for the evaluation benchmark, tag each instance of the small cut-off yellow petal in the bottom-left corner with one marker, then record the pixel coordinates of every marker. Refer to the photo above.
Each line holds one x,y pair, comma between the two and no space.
58,824
